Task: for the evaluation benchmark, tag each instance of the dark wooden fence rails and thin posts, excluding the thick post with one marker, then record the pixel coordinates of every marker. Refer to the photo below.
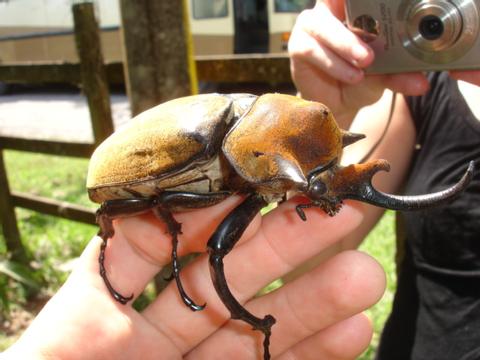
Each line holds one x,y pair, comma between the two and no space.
94,76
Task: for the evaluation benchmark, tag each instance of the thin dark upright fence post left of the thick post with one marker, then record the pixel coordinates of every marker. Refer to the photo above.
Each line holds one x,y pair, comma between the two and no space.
94,78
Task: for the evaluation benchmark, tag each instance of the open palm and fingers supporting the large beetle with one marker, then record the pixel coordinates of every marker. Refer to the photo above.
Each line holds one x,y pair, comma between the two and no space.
318,315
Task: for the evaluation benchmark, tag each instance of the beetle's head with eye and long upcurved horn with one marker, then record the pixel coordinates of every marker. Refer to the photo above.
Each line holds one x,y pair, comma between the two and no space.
328,186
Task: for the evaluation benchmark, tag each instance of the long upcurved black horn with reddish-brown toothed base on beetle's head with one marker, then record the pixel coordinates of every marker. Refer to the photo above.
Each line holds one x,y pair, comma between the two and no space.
363,190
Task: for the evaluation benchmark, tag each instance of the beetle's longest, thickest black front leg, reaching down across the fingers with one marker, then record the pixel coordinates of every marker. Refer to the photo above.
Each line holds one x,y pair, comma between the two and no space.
219,245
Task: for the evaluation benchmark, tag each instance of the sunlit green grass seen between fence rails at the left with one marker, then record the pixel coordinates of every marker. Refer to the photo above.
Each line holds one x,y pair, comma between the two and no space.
49,240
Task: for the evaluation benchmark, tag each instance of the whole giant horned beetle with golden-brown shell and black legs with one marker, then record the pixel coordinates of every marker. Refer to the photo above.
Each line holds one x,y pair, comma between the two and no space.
195,151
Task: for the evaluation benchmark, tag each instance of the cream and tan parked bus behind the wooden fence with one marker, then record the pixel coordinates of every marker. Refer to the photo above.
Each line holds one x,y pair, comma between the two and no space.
42,30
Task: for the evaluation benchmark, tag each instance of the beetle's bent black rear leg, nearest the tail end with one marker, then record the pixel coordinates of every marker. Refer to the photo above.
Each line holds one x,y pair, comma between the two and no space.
110,210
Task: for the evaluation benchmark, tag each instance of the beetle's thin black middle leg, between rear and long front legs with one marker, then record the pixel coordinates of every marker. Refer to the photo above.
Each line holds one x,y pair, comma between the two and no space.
174,228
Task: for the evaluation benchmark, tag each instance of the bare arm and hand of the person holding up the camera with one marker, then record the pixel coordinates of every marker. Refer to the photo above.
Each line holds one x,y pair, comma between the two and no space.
327,66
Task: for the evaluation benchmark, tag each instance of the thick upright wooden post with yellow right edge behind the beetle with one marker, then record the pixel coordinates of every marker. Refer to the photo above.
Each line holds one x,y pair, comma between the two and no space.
158,55
